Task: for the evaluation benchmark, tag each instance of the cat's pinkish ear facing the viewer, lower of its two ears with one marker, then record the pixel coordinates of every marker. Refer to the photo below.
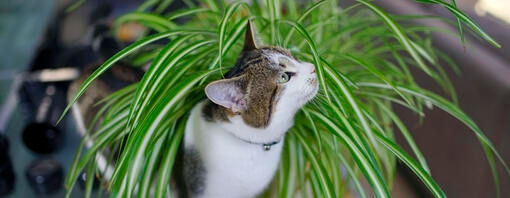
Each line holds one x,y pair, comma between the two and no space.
227,93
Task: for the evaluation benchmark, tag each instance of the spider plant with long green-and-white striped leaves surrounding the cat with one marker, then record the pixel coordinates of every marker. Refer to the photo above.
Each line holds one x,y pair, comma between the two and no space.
363,57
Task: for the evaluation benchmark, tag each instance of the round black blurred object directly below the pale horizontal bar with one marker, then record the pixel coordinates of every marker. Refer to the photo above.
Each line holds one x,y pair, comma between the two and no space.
42,138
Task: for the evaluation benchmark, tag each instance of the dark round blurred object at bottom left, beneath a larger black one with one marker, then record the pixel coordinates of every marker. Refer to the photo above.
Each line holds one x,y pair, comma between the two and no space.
45,175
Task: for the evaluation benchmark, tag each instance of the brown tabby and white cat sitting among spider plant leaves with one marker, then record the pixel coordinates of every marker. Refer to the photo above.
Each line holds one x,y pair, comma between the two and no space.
233,140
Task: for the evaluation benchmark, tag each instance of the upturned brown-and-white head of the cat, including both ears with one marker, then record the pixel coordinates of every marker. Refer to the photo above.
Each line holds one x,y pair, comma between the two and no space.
264,82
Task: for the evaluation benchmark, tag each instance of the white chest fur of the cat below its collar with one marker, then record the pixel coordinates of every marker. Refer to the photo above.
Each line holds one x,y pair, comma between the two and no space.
233,167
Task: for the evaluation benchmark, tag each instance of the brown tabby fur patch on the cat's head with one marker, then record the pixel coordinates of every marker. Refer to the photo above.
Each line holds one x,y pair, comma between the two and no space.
256,76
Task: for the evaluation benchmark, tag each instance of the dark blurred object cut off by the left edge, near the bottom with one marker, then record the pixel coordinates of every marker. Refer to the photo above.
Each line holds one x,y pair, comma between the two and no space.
6,171
